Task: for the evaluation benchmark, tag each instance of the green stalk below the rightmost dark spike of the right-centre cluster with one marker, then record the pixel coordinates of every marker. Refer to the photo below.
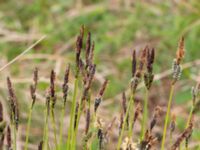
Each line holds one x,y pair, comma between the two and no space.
145,114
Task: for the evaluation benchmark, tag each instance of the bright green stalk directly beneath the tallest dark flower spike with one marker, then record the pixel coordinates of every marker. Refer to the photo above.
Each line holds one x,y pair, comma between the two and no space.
72,113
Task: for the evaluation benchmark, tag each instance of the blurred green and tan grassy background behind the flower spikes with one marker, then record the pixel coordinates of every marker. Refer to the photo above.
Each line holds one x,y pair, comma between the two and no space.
117,27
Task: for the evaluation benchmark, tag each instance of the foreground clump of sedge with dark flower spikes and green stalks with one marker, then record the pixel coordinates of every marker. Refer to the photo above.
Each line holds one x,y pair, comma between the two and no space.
96,133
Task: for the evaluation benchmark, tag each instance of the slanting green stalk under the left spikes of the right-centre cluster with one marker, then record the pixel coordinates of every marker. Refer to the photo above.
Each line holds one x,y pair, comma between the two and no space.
124,124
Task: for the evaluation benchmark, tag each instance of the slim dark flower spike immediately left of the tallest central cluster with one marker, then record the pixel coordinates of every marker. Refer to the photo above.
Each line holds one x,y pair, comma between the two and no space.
65,86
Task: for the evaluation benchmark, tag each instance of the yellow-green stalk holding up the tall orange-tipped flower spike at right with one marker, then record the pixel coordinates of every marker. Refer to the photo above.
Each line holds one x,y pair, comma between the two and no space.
167,116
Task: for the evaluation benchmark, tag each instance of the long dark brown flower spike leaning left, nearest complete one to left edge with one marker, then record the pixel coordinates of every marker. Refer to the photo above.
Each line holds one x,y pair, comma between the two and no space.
14,113
